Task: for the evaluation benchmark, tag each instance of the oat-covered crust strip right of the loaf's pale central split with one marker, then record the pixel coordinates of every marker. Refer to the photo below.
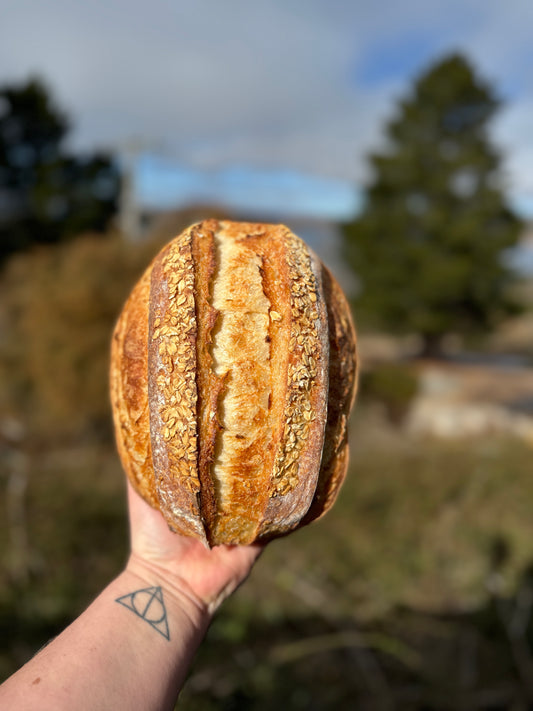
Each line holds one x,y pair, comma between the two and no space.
306,386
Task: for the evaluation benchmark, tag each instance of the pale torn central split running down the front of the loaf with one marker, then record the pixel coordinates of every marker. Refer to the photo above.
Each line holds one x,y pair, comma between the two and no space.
242,359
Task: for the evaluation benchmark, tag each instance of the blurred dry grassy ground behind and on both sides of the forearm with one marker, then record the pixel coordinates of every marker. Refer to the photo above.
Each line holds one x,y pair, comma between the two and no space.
371,603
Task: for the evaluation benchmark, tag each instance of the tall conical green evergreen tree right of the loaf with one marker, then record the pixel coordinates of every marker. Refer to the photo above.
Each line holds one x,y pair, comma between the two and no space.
428,246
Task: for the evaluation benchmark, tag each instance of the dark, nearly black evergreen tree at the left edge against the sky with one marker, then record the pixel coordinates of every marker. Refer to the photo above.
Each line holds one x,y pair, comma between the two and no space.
46,193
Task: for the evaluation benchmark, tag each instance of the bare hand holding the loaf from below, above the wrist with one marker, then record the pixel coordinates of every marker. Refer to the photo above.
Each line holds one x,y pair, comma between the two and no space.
207,577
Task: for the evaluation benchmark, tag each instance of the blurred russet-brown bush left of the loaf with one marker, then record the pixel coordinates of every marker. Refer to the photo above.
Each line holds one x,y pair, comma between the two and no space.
57,310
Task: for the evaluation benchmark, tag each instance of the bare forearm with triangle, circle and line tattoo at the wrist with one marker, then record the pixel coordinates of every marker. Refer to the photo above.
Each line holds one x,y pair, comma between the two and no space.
129,650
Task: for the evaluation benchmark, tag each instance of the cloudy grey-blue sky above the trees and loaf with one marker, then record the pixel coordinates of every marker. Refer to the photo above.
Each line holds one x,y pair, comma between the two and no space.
273,86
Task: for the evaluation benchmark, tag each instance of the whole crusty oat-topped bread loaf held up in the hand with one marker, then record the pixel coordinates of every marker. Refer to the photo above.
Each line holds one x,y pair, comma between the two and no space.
233,372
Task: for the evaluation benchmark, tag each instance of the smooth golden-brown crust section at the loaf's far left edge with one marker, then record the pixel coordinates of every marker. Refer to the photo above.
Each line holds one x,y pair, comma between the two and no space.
129,391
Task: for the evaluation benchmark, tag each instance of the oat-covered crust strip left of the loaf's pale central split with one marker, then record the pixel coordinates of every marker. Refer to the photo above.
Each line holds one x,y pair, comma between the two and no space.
172,392
